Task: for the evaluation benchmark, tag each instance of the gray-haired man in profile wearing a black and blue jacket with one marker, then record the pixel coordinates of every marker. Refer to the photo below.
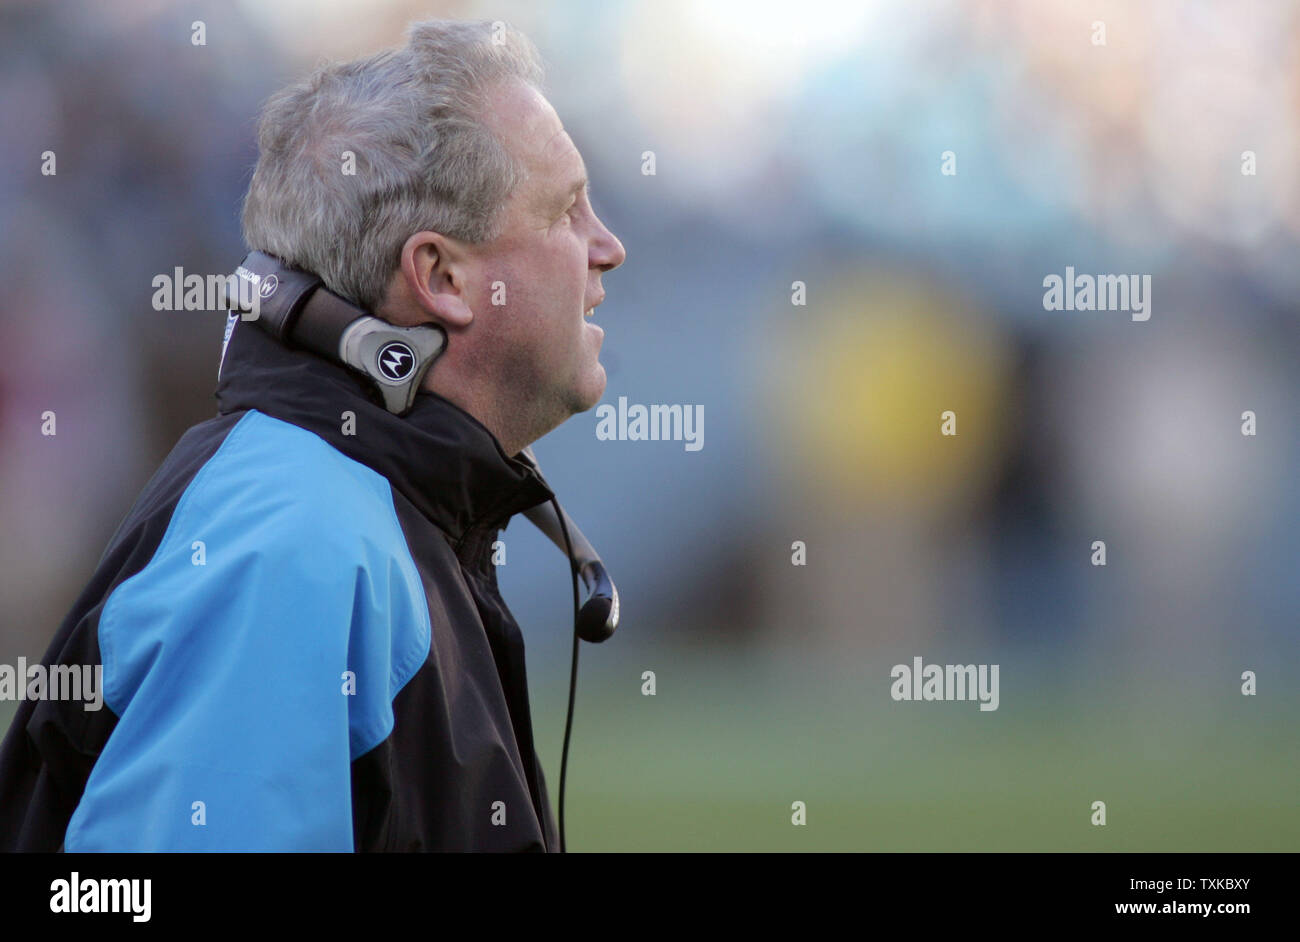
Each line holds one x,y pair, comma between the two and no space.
302,640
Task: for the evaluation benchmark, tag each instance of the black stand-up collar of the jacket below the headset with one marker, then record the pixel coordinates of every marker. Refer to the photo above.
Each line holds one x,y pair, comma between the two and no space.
439,457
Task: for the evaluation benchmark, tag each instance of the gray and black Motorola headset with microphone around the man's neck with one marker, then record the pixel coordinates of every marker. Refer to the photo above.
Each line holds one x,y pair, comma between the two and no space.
296,309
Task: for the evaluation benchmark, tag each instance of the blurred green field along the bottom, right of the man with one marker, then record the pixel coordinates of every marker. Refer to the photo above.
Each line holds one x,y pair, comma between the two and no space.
714,761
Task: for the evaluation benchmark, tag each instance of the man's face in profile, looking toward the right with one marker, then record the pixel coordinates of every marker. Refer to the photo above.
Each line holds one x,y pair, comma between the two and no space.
549,259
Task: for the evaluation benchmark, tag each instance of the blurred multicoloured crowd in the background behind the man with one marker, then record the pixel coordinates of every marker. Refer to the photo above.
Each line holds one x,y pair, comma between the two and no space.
791,144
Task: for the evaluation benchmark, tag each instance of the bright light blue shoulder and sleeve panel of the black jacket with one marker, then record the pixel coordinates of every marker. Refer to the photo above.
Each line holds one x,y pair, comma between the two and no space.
255,657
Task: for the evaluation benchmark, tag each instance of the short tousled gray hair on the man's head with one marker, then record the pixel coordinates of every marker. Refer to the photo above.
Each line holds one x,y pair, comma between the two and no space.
424,160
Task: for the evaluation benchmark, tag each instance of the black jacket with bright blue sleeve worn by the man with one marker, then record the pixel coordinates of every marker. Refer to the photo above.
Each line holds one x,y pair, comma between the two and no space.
301,639
